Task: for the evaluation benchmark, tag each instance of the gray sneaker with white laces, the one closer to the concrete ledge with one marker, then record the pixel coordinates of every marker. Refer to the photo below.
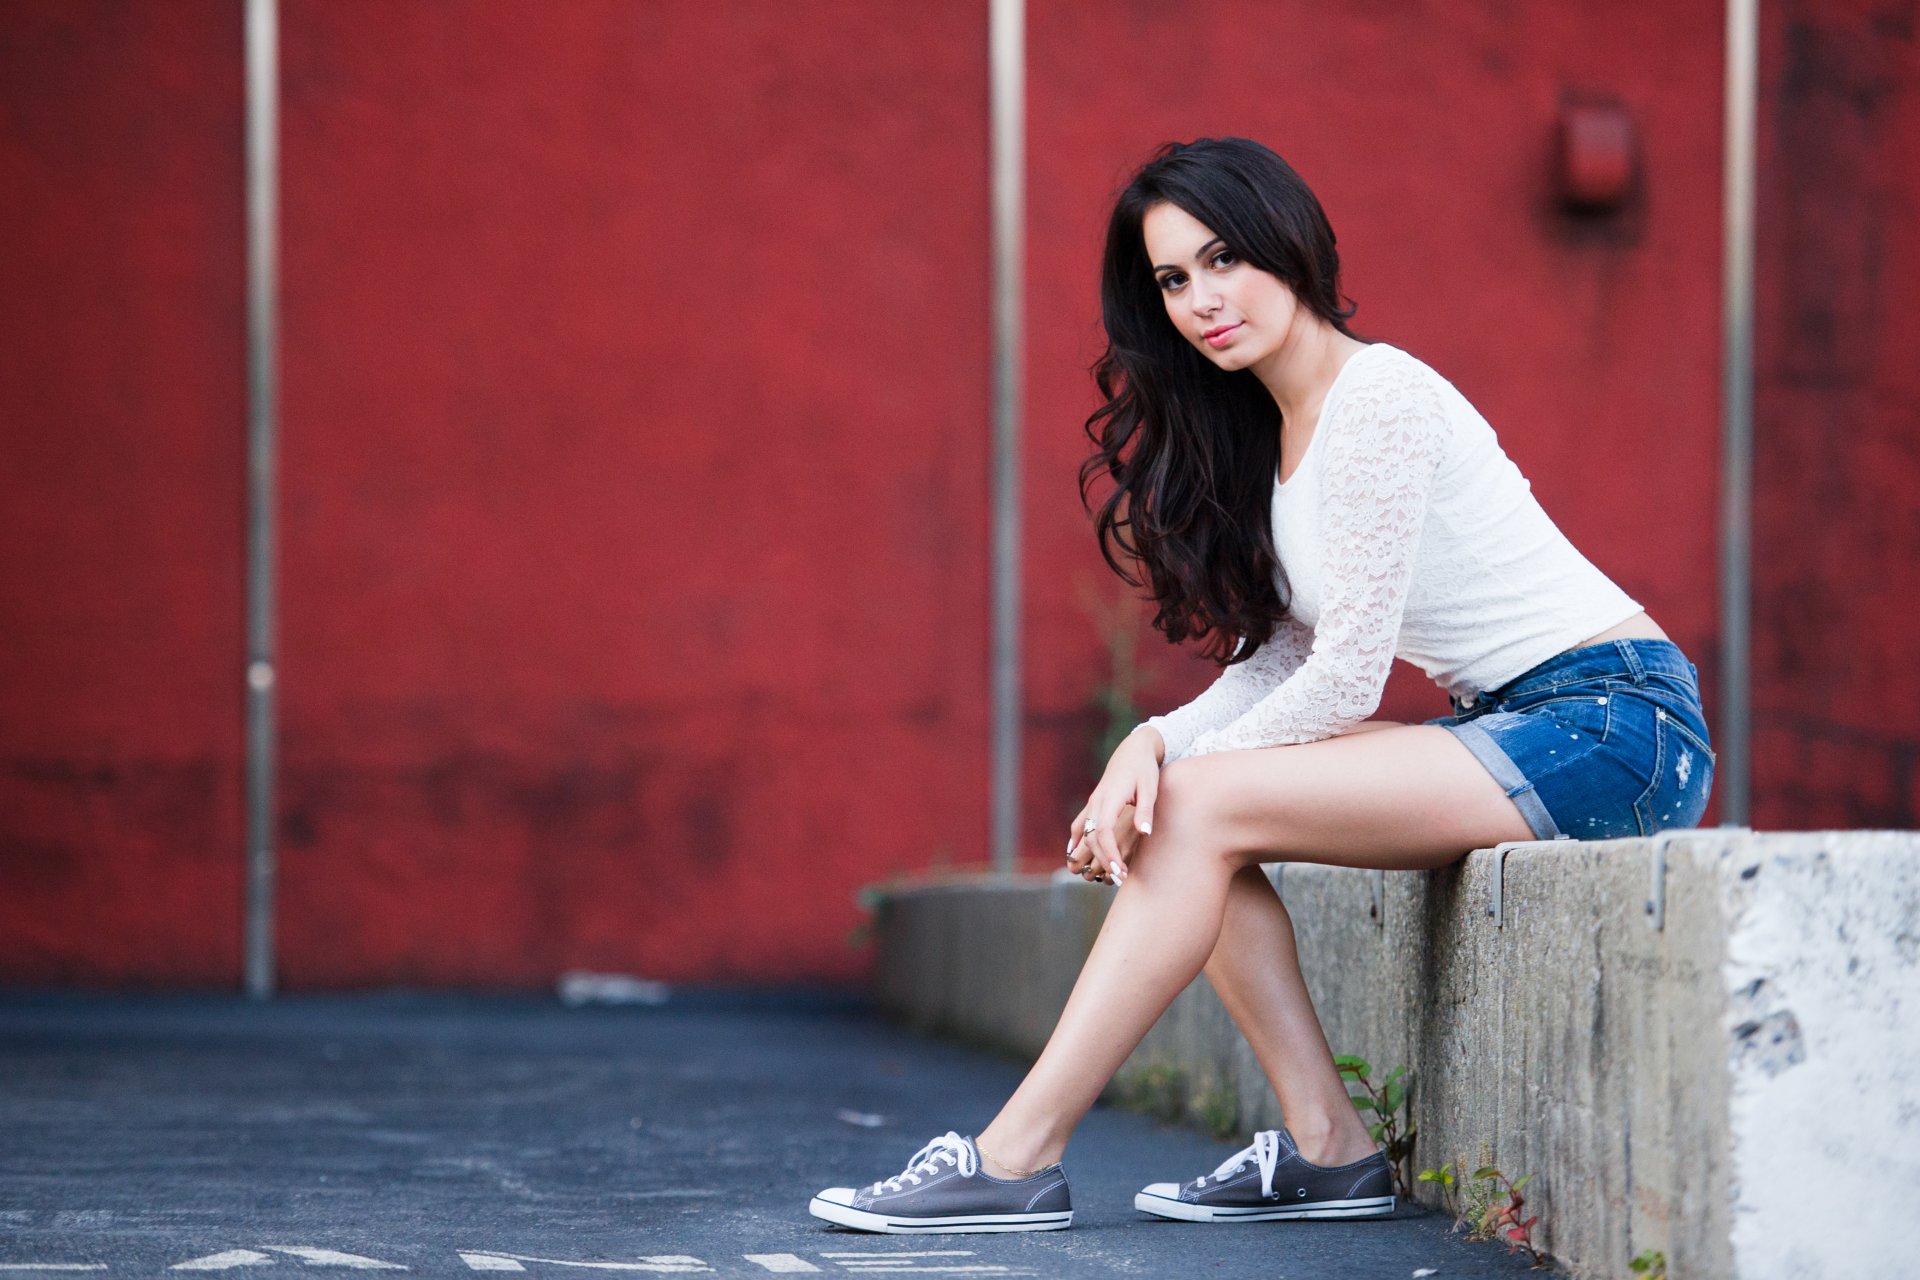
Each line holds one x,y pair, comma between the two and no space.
1272,1181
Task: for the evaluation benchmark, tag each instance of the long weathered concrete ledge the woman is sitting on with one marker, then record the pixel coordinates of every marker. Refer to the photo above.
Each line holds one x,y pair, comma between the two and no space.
1702,1045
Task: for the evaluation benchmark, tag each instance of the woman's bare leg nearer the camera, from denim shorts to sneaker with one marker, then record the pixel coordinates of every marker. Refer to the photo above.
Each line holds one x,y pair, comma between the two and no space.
1399,799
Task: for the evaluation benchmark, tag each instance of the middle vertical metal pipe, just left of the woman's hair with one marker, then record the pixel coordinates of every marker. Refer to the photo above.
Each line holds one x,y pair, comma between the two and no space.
1009,70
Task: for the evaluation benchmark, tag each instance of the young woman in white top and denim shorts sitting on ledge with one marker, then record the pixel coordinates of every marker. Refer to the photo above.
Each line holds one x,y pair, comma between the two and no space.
1308,506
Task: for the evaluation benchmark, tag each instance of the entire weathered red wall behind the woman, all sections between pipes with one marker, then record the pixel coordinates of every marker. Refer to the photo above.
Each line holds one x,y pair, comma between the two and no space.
636,437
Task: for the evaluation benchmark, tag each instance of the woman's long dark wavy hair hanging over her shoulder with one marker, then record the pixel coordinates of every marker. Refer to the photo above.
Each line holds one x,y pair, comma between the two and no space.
1193,450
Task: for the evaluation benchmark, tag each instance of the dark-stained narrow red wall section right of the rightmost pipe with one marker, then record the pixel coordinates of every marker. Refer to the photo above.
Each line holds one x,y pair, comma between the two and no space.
1836,661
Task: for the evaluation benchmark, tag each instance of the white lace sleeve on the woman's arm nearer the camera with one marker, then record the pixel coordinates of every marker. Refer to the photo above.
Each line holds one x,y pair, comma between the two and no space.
1380,469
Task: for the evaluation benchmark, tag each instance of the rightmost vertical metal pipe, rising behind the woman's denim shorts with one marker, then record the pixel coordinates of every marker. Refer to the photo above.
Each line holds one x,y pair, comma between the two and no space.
1737,406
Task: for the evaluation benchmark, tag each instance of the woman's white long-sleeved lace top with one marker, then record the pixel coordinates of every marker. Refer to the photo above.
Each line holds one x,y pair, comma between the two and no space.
1404,533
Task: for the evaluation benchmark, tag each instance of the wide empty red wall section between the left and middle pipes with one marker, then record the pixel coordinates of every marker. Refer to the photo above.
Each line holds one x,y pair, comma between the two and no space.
636,504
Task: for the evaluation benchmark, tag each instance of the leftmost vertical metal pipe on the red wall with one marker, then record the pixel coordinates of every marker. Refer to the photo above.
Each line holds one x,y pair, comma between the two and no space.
262,216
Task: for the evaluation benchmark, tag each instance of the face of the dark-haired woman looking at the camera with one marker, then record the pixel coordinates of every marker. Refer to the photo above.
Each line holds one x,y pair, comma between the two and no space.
1234,312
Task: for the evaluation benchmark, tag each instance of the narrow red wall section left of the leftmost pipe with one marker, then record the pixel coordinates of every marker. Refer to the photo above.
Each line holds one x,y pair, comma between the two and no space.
122,492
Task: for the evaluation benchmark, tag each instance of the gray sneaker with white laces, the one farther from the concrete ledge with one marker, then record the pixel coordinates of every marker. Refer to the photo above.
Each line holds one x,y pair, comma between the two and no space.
946,1191
